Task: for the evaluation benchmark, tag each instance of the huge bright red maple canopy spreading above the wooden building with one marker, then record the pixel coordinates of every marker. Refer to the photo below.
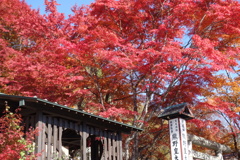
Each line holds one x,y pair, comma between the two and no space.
124,60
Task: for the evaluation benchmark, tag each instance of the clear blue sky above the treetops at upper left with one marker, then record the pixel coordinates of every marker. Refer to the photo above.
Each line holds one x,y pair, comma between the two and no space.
65,6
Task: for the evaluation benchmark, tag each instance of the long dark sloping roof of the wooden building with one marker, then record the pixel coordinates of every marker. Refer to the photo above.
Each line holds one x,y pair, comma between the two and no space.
67,112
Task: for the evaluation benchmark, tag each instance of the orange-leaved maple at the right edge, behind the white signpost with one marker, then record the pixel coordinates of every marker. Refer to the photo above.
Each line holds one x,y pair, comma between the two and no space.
223,106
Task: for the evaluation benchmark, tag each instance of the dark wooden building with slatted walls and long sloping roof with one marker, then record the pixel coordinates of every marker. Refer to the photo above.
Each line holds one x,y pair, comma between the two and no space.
67,132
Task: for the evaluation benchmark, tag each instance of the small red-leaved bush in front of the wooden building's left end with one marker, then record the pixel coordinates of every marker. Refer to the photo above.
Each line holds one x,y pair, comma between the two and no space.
14,143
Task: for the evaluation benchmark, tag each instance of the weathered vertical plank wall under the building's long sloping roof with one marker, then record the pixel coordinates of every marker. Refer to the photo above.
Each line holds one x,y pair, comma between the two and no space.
49,140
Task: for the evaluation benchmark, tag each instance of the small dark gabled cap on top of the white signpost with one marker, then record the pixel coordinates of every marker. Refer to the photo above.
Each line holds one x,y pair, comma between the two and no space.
177,111
